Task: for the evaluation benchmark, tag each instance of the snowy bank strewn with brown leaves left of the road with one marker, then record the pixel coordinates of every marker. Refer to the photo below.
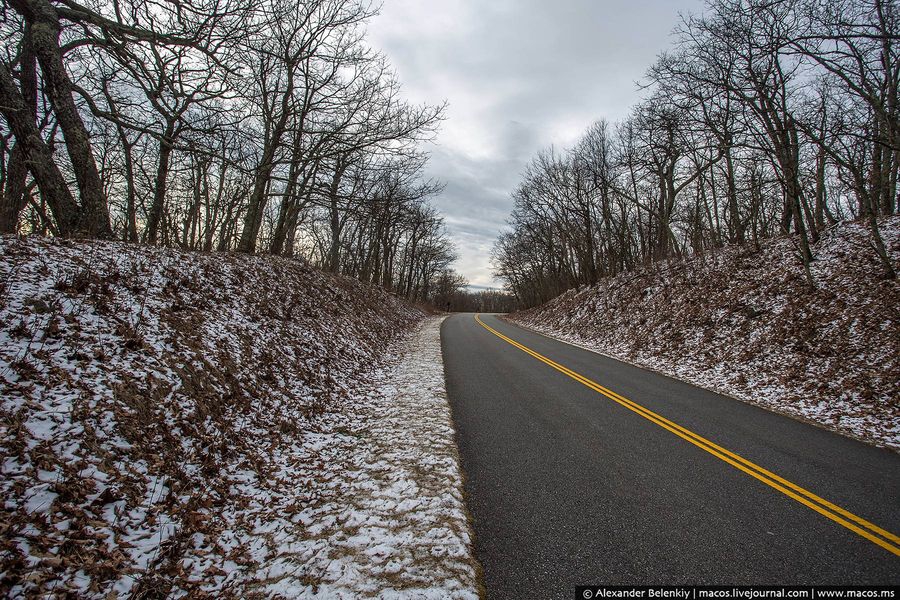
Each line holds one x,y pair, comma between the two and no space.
174,422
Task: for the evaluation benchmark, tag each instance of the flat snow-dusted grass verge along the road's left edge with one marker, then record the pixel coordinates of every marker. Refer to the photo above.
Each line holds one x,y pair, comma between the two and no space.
390,521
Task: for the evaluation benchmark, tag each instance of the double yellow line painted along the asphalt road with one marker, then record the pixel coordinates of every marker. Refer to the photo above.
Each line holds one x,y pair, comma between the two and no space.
854,523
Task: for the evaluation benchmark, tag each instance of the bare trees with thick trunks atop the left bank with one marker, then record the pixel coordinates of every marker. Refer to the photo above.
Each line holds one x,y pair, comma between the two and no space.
256,126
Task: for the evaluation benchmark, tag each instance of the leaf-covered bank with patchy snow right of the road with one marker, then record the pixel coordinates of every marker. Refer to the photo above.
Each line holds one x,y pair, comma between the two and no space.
745,323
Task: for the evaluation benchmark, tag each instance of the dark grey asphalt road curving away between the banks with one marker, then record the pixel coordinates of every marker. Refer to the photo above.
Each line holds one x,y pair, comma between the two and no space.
569,487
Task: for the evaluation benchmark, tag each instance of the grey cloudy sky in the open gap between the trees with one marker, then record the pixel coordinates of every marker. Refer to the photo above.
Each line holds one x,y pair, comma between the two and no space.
519,75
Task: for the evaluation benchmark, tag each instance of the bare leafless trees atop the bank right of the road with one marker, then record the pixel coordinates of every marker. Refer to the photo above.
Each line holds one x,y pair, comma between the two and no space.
766,117
